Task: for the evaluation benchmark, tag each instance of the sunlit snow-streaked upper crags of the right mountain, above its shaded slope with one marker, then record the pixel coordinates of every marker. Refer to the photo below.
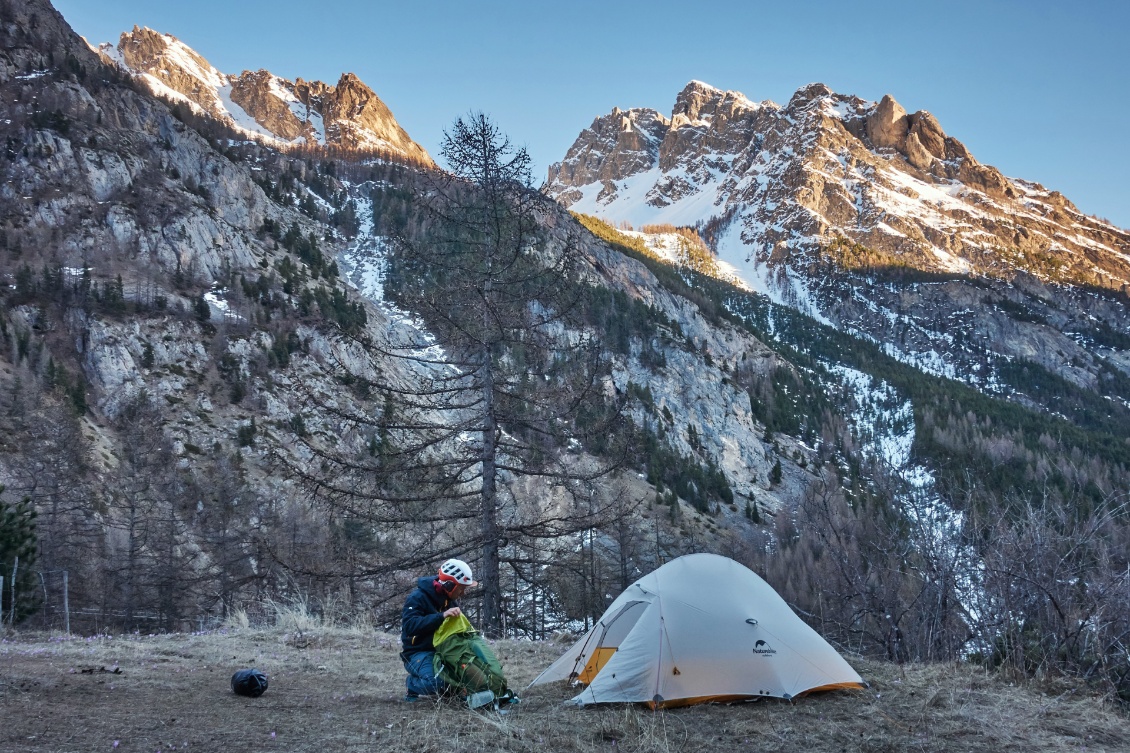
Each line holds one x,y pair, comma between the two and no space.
770,183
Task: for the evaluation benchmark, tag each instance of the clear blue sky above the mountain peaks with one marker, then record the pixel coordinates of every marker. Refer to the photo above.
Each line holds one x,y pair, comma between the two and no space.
1040,90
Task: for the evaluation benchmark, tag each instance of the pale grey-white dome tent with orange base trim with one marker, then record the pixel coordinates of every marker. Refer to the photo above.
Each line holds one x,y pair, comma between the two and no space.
700,629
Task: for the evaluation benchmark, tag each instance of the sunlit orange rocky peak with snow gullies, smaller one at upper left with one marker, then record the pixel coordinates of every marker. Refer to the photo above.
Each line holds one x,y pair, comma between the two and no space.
262,105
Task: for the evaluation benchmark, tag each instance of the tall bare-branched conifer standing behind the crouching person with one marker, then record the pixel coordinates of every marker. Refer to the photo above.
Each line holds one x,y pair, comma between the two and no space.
515,383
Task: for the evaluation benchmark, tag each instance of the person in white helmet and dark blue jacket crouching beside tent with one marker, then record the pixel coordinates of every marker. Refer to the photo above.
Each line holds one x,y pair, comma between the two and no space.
434,600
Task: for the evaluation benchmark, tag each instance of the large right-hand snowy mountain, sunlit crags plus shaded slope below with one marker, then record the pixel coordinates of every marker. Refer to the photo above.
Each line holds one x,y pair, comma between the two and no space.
822,203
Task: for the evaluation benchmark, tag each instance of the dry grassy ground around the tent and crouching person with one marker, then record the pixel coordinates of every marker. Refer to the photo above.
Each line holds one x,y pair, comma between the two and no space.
341,690
